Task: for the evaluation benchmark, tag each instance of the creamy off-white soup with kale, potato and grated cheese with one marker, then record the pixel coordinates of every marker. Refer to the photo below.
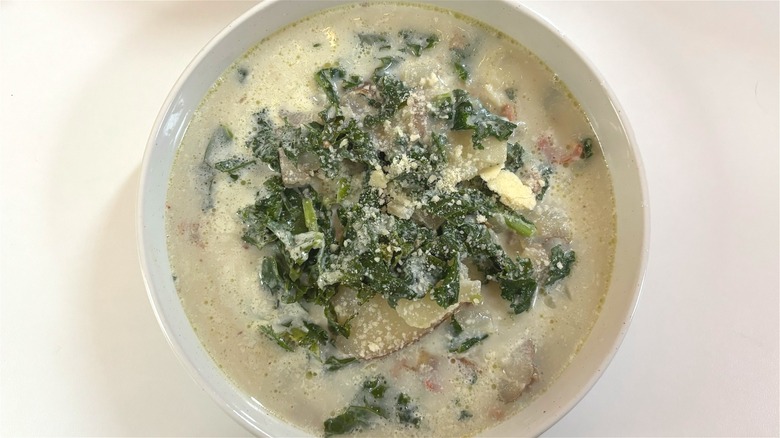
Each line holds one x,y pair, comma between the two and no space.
391,220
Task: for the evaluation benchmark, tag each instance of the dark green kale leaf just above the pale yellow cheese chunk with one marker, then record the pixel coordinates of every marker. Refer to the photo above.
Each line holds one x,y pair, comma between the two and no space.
469,114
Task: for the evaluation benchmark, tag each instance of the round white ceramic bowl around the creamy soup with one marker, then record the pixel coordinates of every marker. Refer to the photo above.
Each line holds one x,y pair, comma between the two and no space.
516,21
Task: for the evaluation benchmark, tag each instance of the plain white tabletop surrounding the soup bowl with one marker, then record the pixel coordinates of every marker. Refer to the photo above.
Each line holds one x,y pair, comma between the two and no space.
81,84
